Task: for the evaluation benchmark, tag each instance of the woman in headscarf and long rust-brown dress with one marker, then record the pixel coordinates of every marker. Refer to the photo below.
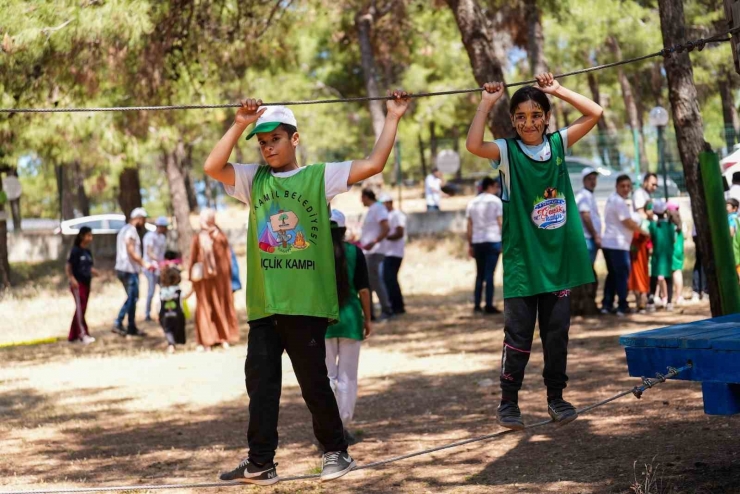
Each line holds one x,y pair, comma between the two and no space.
210,272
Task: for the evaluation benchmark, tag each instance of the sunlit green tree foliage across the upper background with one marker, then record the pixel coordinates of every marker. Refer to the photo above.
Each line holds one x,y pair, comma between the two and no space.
137,52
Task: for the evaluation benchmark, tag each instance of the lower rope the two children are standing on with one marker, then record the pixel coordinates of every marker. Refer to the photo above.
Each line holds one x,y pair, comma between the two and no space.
637,391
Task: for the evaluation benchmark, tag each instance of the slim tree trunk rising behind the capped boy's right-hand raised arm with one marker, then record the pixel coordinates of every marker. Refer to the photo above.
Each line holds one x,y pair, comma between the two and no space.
364,22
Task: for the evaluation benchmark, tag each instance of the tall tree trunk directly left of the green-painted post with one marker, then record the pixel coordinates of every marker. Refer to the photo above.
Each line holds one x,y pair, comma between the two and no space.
689,129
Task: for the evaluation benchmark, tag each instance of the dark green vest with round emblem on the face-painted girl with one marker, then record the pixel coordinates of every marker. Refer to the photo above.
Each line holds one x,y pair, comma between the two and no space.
543,247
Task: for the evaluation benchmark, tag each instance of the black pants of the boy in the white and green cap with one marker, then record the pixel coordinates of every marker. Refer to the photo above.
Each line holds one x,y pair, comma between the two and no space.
303,338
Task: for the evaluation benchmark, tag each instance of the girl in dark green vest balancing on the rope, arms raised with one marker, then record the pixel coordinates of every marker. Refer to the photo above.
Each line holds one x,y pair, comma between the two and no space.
544,254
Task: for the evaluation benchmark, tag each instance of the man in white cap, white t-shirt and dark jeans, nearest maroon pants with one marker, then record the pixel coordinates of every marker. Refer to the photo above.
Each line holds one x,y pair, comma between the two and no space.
128,264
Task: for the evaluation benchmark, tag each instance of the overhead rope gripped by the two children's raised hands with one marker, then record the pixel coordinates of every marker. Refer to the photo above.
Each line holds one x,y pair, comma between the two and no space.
665,52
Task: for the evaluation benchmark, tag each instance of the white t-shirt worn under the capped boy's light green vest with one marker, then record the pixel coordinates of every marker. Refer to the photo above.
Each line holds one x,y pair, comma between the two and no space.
335,180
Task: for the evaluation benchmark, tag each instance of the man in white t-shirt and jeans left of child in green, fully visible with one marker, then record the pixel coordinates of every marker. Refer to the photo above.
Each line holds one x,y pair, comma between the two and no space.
620,224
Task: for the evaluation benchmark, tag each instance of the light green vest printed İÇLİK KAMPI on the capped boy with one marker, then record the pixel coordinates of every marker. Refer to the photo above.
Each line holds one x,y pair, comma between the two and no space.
290,255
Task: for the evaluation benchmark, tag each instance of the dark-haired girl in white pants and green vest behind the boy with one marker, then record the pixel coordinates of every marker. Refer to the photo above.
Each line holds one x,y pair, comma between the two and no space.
343,340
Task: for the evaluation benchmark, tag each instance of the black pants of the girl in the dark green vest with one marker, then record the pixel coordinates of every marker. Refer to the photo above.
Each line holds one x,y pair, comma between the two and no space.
520,315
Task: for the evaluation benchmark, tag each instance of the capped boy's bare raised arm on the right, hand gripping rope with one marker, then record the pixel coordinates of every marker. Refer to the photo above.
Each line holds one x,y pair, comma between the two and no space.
374,164
